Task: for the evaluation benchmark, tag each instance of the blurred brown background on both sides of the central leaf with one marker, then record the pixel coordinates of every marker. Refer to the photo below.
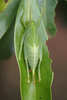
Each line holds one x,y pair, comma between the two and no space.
57,46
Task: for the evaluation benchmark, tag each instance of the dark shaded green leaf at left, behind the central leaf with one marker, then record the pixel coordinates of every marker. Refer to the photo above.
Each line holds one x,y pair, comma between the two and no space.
7,43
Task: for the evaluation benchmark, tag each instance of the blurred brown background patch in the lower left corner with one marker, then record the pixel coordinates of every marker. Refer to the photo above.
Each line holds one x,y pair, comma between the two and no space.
9,80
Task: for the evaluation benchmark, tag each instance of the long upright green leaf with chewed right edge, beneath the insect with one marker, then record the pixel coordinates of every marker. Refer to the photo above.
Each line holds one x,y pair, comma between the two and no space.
39,90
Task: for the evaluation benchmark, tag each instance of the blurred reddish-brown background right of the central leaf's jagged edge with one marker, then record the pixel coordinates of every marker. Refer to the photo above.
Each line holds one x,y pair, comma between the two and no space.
57,47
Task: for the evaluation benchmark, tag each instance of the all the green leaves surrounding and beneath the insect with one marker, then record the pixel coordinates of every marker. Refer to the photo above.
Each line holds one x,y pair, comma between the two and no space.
39,90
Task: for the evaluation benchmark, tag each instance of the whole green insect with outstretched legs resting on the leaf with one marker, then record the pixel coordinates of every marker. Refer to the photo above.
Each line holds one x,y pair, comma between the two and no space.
32,46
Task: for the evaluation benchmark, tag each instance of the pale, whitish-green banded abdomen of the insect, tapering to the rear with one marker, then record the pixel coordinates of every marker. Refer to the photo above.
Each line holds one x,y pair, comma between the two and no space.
32,54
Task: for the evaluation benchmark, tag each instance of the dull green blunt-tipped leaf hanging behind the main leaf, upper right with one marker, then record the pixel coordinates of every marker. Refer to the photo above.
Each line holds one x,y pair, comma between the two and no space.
48,16
